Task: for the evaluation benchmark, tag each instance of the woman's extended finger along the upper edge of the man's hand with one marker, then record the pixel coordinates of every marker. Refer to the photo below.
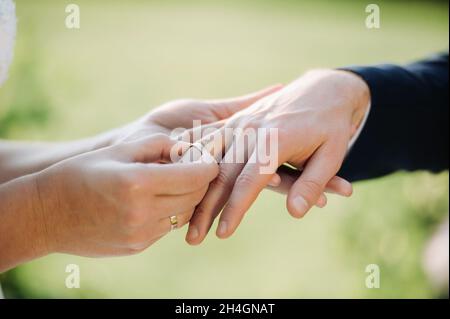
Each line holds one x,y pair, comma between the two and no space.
227,107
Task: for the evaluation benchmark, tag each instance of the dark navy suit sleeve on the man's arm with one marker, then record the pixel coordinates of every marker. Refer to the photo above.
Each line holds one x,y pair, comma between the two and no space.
407,127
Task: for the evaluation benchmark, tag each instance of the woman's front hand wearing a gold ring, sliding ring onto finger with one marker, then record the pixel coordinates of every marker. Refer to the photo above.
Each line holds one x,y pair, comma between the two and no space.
114,201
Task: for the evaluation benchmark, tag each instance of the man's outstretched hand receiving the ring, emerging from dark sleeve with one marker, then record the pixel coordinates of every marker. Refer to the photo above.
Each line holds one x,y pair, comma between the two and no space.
315,117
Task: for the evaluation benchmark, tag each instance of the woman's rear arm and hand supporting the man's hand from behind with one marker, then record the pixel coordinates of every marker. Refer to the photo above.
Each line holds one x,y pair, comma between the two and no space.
22,158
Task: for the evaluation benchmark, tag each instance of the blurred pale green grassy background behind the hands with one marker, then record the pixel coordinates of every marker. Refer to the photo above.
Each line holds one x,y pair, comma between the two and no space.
130,56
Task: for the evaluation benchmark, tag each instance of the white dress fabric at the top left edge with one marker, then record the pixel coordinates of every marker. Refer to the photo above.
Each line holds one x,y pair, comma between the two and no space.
7,36
